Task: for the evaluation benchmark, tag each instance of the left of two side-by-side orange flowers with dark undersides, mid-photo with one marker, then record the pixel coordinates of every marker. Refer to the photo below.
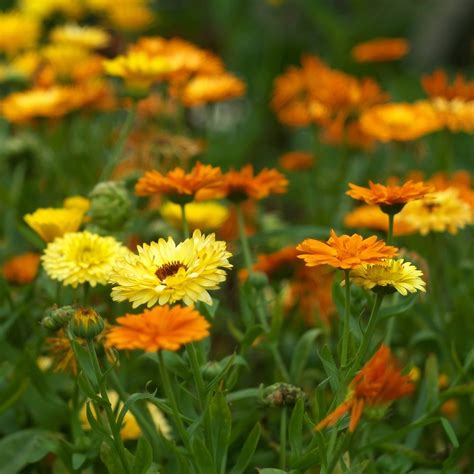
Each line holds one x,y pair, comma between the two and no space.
179,185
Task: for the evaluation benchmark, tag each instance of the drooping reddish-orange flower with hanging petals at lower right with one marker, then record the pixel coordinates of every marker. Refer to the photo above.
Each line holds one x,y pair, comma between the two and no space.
377,385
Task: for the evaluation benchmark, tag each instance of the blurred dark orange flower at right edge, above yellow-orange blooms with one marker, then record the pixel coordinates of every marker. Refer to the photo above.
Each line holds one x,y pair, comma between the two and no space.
437,85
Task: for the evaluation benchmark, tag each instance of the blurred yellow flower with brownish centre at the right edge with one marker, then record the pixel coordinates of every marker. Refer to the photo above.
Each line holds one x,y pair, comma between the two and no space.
441,211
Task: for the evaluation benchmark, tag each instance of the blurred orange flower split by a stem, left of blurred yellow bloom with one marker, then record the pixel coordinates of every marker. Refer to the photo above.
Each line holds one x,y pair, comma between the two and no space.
372,217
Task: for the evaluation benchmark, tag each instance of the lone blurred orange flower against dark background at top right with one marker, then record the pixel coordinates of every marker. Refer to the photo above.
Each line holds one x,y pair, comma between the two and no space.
380,50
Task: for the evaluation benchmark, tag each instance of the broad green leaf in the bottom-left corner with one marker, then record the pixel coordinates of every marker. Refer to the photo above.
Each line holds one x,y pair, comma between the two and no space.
25,447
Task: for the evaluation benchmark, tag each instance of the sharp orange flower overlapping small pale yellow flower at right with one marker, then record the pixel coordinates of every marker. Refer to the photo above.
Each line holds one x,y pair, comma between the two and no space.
344,252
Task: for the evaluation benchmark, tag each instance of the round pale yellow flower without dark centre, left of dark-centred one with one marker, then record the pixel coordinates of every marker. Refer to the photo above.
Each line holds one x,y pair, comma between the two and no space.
82,257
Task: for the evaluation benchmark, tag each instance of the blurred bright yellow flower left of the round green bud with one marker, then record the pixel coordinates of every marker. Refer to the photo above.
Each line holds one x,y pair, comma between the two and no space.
50,222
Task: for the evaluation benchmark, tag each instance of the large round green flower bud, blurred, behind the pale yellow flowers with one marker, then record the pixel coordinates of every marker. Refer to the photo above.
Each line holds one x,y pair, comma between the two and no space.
110,205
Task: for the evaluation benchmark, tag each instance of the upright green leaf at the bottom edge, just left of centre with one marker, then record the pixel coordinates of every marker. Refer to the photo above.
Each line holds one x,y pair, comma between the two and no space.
221,422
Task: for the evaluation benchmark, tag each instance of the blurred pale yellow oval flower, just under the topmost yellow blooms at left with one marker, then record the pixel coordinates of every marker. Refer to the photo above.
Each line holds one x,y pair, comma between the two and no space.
88,37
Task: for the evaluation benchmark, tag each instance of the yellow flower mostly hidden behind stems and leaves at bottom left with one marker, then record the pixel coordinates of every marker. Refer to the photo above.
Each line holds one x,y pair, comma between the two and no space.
130,428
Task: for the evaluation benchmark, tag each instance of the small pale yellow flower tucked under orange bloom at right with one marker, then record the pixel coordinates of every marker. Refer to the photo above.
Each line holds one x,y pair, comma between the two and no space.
389,276
